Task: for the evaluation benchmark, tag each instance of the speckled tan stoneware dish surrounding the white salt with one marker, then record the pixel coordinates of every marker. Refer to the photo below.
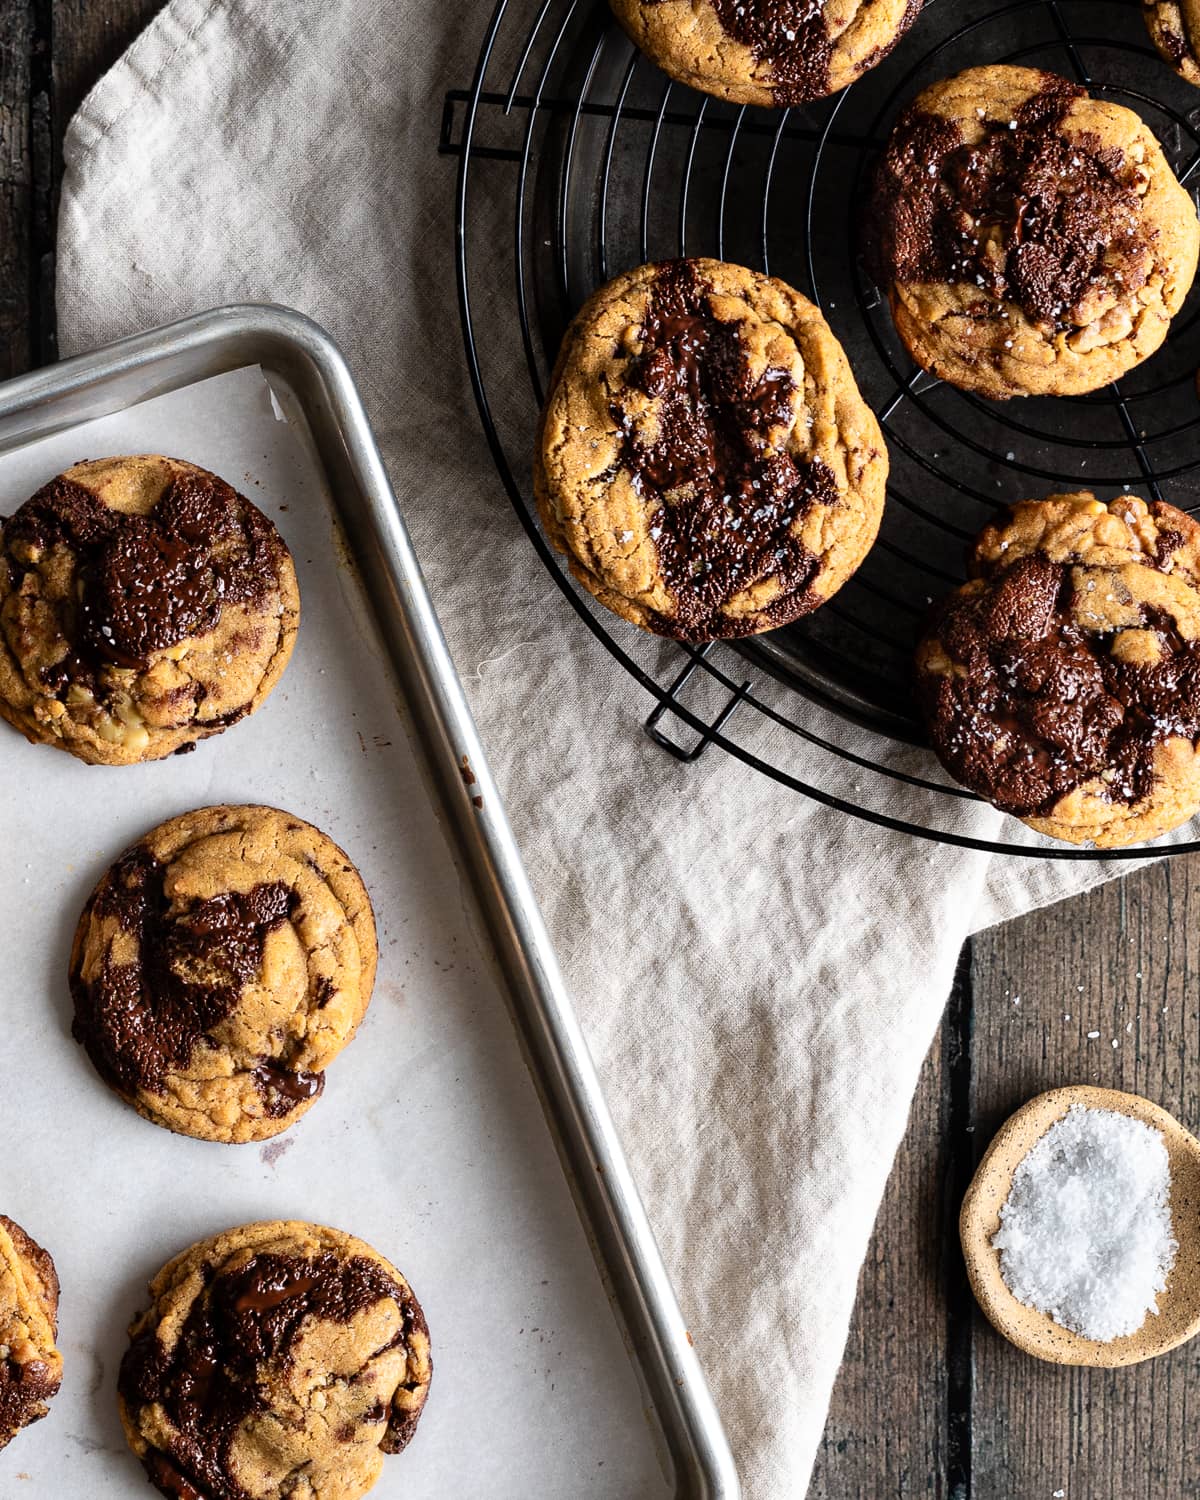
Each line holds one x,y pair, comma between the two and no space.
1036,1333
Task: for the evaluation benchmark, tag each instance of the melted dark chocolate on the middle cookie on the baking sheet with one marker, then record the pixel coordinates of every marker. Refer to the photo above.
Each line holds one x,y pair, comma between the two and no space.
142,1021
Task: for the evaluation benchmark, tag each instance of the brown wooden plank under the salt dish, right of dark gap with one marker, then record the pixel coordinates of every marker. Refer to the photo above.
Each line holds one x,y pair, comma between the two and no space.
1120,962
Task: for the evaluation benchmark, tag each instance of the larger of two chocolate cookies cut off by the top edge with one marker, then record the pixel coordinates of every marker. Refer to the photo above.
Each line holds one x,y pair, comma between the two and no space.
767,52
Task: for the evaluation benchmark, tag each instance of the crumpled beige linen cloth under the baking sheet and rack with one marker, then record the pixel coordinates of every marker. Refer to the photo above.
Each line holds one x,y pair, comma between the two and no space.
760,979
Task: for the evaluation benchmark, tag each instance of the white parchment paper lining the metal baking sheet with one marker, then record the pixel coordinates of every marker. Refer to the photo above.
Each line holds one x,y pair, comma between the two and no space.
428,1142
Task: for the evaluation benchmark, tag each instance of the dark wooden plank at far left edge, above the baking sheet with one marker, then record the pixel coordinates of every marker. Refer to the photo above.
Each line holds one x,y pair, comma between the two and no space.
17,37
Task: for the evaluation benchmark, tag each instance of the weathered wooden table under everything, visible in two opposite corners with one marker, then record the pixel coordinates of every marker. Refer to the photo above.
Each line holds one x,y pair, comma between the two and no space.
931,1402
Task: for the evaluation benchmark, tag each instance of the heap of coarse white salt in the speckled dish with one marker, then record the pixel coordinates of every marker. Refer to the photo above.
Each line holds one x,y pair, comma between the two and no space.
1087,1232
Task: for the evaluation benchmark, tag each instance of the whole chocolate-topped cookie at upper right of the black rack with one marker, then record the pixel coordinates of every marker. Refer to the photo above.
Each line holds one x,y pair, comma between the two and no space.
1031,241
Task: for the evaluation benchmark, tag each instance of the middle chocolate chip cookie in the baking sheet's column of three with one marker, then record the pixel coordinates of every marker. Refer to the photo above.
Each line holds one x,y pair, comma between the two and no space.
218,970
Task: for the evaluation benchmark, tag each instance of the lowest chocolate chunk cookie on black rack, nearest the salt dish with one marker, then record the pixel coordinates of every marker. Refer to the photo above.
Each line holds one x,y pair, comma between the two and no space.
1063,682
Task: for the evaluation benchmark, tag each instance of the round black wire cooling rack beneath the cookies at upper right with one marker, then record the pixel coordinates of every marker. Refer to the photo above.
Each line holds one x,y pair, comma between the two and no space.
578,160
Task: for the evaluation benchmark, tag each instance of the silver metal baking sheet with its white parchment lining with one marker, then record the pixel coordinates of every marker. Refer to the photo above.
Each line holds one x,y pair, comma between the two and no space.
430,1141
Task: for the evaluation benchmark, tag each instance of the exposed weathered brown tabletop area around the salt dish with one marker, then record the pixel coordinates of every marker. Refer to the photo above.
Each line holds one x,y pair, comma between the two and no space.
1121,962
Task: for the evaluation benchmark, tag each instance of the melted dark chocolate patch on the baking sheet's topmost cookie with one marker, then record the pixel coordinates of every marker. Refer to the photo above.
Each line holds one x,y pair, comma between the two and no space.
152,581
